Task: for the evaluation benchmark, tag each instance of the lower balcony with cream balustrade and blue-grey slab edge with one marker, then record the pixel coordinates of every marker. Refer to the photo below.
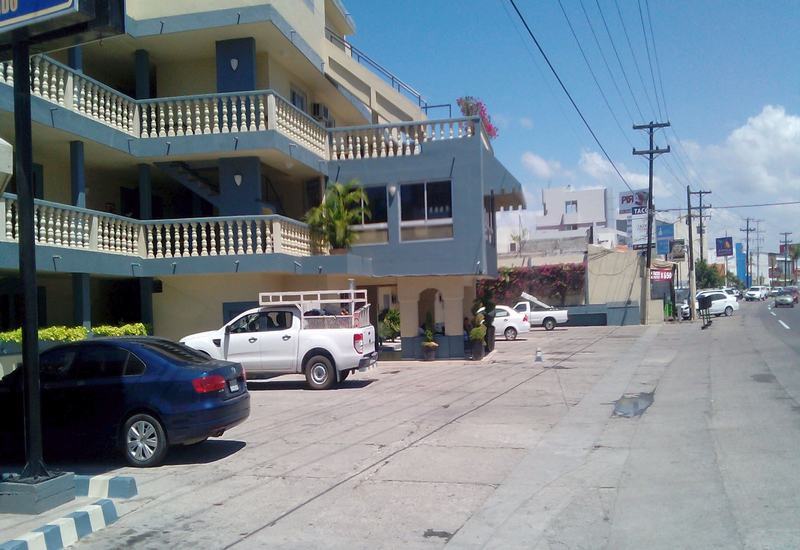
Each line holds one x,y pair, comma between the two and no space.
70,239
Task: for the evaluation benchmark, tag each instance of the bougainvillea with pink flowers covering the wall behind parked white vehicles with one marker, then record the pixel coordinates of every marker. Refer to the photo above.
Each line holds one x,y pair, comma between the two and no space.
553,281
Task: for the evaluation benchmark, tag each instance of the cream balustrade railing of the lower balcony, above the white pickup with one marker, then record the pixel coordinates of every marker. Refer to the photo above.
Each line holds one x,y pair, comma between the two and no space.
80,229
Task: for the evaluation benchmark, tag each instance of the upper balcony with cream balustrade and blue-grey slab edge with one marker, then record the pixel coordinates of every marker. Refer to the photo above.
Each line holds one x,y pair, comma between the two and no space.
152,120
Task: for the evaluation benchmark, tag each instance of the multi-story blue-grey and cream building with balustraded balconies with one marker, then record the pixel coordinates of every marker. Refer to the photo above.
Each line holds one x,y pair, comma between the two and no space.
175,162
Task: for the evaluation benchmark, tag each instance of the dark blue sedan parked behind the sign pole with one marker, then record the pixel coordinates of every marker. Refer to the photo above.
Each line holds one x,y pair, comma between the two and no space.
140,395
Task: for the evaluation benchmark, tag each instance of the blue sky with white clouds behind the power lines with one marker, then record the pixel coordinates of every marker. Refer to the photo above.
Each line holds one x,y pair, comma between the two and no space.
728,70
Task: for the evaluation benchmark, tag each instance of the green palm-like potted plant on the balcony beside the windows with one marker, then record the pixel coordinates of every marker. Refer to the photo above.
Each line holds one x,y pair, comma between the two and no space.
344,205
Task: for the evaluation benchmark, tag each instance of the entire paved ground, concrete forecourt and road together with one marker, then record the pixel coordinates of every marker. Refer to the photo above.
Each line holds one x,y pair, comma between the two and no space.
507,453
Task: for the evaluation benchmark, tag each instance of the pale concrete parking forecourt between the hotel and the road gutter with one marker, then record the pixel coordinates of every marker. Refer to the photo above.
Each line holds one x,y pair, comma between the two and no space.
406,452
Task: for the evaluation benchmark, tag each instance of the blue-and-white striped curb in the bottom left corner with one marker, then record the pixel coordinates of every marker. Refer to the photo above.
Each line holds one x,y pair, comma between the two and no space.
68,530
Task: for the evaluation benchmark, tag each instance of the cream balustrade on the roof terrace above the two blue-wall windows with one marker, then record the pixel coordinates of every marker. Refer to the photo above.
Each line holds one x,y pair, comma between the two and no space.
396,140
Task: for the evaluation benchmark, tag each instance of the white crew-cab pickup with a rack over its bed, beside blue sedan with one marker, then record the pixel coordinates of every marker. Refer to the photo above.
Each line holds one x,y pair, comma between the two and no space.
324,335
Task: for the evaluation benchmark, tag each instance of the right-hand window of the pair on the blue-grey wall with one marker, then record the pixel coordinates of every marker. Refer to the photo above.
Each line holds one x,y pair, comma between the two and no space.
426,211
